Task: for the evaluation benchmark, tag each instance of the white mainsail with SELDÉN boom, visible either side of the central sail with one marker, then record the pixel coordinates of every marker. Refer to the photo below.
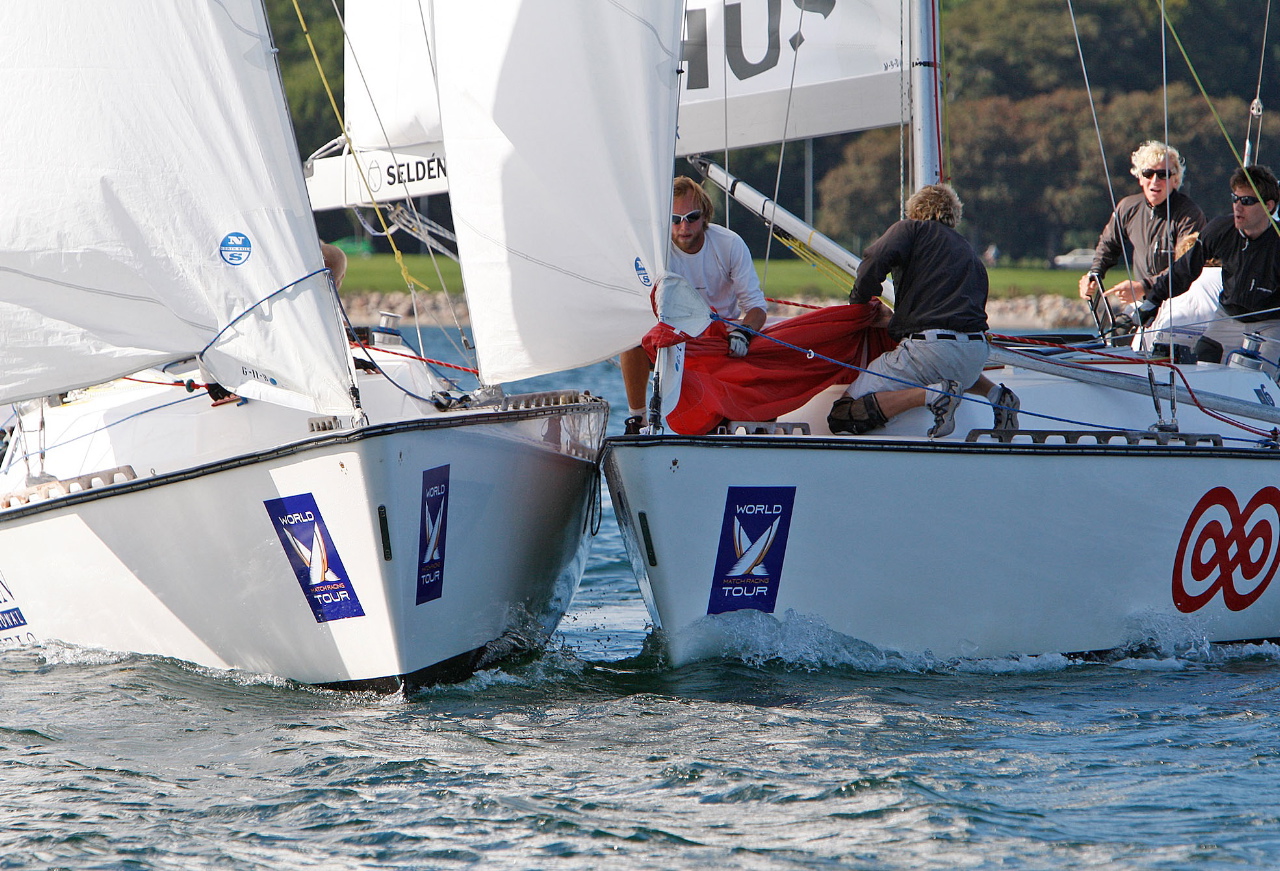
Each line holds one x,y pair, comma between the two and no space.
740,63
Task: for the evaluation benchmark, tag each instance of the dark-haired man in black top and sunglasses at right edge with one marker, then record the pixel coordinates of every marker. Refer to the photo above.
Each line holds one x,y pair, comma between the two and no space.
1247,243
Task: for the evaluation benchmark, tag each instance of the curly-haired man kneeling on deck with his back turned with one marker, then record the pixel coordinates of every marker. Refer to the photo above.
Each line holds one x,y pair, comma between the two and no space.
940,323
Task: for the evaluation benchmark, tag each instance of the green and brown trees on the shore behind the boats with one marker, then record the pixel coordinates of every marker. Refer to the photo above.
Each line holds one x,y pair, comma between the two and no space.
1021,143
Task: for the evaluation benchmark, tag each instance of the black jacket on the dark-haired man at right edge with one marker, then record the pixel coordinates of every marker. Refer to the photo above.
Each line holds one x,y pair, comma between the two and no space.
1251,271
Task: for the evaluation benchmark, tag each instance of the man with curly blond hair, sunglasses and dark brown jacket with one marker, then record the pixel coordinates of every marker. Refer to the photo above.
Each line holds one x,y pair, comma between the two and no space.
1145,229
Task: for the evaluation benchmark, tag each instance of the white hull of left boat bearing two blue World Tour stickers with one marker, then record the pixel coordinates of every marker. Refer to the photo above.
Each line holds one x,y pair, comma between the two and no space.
196,564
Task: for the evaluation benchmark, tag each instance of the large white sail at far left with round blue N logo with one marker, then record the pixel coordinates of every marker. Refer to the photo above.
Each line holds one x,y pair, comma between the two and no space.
154,199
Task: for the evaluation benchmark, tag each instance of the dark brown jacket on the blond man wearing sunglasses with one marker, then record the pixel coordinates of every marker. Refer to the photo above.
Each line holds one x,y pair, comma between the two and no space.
1145,234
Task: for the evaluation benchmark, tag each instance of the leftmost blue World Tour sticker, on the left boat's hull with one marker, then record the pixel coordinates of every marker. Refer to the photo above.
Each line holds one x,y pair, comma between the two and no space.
316,560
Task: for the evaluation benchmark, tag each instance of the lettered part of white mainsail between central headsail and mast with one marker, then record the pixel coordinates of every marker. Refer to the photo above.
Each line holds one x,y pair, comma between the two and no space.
844,60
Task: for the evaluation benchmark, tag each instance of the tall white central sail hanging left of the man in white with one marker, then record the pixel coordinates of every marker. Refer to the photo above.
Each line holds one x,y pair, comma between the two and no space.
559,131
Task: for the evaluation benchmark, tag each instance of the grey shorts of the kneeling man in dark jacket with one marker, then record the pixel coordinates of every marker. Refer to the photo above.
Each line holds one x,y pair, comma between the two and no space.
922,362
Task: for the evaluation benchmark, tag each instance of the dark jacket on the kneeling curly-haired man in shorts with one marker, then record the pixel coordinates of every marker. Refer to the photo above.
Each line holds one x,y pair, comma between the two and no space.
939,280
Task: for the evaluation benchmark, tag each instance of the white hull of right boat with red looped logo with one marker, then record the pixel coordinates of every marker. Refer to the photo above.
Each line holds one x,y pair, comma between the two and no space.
950,548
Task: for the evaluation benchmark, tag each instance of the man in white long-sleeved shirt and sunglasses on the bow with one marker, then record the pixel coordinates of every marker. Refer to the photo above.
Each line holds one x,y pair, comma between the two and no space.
717,262
